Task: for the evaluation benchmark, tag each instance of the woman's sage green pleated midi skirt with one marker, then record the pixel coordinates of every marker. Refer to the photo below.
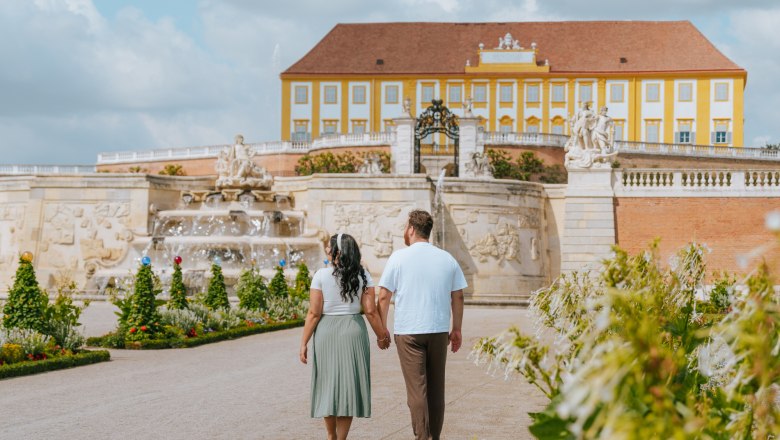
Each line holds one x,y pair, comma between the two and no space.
341,374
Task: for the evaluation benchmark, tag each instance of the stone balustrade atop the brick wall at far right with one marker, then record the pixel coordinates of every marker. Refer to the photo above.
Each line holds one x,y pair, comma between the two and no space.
693,183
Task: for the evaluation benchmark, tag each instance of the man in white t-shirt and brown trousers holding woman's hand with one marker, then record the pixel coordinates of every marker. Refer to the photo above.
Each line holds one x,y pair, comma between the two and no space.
427,283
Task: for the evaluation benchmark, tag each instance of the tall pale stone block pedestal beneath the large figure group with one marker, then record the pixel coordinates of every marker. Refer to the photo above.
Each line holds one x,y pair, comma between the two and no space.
589,221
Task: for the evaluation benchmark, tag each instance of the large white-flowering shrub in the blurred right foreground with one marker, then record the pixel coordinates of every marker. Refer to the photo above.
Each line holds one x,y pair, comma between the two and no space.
632,356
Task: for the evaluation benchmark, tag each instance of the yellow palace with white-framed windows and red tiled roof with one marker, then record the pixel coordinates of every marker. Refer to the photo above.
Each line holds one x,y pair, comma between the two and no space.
663,82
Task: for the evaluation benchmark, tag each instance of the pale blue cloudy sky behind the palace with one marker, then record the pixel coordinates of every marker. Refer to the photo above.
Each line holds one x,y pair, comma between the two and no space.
80,77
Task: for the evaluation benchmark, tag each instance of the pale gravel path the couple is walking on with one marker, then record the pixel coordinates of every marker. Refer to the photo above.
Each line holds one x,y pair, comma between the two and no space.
250,388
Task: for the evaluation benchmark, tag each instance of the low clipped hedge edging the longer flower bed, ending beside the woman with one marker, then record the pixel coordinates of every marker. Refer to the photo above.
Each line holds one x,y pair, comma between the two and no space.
205,338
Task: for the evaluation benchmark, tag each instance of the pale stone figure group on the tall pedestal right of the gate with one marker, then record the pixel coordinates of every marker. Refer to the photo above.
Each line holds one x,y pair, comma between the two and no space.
591,141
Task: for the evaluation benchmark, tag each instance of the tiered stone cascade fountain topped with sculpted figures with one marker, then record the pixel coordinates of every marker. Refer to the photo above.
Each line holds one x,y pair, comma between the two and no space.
240,222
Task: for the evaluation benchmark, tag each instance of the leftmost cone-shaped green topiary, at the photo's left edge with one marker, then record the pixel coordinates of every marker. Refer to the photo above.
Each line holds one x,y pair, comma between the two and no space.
26,303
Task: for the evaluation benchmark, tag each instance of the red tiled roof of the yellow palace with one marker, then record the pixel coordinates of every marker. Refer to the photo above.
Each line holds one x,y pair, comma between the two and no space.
570,46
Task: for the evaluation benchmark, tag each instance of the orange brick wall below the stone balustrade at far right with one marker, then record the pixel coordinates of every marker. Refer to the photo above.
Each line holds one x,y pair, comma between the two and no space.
730,227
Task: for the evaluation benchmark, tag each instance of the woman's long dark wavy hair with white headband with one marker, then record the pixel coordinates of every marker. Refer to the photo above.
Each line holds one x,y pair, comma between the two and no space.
347,269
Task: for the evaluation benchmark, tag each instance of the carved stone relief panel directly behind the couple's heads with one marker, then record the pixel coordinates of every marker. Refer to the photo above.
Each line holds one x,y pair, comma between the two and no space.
375,226
